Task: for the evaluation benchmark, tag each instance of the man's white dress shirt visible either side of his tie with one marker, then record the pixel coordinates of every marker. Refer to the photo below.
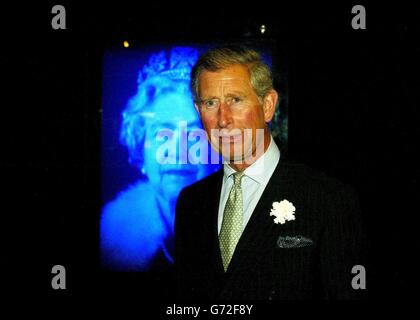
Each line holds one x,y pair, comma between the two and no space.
253,182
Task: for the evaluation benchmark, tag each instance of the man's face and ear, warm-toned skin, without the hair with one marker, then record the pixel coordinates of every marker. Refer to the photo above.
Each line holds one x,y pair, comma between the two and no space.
229,105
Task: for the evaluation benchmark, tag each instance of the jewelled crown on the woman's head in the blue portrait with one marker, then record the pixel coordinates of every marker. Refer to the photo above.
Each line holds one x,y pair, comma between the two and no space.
175,64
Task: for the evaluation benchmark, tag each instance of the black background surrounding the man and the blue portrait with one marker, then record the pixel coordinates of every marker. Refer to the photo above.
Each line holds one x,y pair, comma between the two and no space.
353,113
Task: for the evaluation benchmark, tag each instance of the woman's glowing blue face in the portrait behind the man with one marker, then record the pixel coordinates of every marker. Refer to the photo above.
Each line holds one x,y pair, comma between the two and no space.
166,164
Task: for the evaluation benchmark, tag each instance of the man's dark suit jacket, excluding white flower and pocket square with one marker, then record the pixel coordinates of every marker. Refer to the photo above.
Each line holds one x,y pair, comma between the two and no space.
262,268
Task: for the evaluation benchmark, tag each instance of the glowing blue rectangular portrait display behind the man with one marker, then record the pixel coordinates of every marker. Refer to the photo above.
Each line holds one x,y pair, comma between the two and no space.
153,145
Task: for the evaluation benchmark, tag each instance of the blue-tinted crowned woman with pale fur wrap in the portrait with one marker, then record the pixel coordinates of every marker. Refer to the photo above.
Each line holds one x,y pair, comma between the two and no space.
136,228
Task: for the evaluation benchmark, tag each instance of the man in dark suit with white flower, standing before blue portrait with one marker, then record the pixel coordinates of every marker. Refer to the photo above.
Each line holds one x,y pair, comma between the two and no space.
261,228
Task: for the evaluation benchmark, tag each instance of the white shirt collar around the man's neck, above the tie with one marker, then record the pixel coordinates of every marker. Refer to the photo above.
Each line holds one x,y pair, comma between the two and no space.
259,169
